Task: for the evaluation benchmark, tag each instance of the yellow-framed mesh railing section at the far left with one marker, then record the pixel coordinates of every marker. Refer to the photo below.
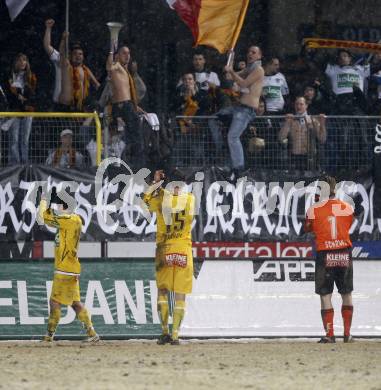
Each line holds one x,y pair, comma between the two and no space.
45,135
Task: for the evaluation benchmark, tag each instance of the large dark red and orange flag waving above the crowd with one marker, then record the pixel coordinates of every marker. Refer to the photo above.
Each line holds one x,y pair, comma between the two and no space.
215,23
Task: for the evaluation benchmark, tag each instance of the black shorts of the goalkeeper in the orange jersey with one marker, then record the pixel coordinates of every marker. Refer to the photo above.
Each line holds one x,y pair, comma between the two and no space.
334,267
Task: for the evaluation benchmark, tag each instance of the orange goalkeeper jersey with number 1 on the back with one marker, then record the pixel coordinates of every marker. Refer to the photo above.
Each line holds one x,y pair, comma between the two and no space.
331,222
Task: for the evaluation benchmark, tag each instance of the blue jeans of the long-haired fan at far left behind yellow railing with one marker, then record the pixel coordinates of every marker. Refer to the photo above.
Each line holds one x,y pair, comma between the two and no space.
19,133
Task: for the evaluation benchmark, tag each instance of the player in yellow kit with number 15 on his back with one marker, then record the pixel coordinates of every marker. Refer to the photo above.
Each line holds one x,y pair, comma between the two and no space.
174,262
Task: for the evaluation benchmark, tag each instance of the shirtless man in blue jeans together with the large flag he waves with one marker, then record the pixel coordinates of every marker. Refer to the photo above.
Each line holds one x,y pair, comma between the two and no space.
217,23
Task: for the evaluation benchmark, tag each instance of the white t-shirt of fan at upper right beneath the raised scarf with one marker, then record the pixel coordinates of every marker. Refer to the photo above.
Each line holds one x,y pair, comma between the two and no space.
343,77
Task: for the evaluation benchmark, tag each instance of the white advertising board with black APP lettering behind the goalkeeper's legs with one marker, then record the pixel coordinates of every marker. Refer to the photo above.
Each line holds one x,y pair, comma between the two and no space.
275,298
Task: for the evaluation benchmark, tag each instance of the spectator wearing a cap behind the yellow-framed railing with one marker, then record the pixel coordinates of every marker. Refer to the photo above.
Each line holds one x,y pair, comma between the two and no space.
65,156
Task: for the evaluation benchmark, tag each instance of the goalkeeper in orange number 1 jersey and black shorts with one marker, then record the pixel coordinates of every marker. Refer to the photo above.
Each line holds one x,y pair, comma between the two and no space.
331,220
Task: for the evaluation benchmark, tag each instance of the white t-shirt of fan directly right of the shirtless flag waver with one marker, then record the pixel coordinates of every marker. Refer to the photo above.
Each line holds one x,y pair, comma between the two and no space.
274,88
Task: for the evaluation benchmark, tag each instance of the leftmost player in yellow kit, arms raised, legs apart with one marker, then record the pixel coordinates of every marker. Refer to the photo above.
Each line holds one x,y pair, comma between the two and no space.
67,269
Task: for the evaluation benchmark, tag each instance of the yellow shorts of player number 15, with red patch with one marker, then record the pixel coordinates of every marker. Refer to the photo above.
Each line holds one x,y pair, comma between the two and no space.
174,268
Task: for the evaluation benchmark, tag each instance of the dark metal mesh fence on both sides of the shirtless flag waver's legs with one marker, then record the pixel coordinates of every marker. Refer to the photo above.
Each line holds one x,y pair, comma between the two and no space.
275,142
